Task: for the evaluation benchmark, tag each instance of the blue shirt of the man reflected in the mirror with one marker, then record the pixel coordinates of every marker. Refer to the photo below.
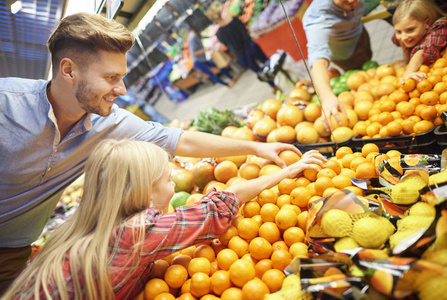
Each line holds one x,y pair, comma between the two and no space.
332,33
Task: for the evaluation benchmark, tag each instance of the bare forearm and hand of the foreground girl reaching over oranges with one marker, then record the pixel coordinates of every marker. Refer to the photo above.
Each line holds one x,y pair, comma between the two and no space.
249,189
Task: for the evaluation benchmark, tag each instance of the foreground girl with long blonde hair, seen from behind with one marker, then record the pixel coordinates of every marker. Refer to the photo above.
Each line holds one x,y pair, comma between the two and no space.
106,249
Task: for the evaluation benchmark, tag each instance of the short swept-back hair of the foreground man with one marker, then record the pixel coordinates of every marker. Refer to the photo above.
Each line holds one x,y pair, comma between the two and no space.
81,35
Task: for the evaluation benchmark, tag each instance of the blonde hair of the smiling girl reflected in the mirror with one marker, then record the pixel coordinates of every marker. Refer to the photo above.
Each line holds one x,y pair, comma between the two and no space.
421,10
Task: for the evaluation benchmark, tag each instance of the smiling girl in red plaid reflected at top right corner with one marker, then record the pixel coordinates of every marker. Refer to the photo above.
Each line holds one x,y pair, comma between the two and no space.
421,31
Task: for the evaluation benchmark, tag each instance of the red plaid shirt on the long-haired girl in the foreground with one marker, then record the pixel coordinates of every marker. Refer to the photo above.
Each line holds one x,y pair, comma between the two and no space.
165,234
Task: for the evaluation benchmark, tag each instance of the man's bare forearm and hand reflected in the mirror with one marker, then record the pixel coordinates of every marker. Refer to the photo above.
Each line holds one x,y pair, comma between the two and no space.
330,103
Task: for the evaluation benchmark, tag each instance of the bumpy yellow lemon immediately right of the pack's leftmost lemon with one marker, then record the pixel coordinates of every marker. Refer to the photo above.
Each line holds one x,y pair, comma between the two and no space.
369,232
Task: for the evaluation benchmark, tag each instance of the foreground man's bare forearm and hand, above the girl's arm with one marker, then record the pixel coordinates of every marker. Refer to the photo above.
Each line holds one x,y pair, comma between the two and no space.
200,144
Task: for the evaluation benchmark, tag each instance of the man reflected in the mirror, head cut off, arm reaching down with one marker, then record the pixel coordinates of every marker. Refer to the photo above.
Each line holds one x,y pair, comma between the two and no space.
334,33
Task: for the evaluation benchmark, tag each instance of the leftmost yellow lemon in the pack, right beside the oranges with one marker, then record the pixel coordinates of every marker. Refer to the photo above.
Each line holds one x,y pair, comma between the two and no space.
336,223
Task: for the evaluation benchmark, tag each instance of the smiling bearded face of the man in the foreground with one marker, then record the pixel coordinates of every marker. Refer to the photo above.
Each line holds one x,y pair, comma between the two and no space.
101,83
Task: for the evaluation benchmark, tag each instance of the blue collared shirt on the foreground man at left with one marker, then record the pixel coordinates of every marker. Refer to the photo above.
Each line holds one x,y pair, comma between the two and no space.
36,166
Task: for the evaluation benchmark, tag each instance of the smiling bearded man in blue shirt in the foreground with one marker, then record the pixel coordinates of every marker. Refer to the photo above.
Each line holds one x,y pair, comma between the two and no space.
49,128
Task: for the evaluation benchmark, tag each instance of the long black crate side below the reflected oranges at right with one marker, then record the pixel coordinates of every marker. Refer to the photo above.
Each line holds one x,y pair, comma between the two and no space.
423,143
